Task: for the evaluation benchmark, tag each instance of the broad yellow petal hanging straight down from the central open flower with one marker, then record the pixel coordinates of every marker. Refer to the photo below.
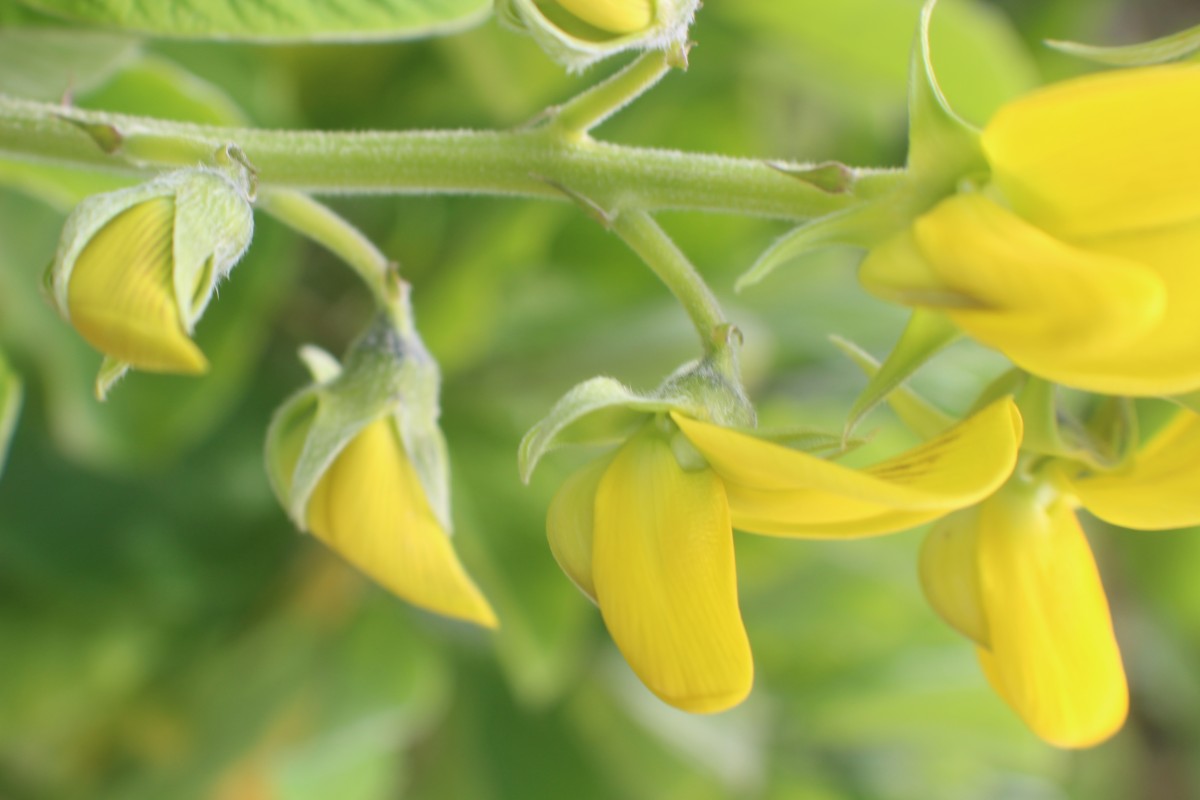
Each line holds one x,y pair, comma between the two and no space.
665,580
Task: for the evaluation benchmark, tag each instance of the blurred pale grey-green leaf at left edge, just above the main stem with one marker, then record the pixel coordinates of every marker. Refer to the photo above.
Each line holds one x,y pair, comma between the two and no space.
51,64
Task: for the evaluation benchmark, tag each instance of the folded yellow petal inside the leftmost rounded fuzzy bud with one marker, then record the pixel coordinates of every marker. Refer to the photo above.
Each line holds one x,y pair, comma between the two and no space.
121,296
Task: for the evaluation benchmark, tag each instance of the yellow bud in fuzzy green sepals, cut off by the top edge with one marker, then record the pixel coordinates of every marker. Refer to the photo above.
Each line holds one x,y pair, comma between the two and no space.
580,33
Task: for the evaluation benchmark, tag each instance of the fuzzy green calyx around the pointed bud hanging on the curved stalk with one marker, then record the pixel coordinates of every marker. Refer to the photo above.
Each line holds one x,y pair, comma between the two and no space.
387,372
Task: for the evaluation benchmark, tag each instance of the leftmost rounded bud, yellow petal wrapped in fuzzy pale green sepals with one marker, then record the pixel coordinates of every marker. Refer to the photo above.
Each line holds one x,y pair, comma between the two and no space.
136,268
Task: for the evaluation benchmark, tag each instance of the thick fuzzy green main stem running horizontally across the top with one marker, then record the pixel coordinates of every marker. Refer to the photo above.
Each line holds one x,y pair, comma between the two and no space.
530,164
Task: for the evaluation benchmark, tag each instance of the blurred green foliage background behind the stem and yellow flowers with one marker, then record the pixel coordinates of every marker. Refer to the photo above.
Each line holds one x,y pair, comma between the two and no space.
165,633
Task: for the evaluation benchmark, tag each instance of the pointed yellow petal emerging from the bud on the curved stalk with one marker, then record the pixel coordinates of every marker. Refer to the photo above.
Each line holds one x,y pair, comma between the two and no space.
371,510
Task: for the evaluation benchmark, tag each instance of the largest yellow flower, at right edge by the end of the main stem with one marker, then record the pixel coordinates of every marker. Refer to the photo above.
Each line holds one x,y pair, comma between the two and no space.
1077,261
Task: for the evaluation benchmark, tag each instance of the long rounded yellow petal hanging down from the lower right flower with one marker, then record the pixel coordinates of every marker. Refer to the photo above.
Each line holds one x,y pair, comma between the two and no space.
1053,654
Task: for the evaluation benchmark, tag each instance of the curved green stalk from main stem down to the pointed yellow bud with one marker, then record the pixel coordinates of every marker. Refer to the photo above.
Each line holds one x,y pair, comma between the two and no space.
323,226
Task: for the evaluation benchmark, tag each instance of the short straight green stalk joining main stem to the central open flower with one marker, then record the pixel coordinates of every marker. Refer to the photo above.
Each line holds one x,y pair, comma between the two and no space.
661,254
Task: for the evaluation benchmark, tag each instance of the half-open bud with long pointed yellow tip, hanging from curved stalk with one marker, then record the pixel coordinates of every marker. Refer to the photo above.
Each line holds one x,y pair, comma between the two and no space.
359,462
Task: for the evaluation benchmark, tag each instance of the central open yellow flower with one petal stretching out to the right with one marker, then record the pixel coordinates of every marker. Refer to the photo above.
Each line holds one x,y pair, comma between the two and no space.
649,533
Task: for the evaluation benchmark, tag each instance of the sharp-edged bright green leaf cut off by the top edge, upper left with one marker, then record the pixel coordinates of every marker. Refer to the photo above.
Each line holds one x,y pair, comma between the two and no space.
277,21
